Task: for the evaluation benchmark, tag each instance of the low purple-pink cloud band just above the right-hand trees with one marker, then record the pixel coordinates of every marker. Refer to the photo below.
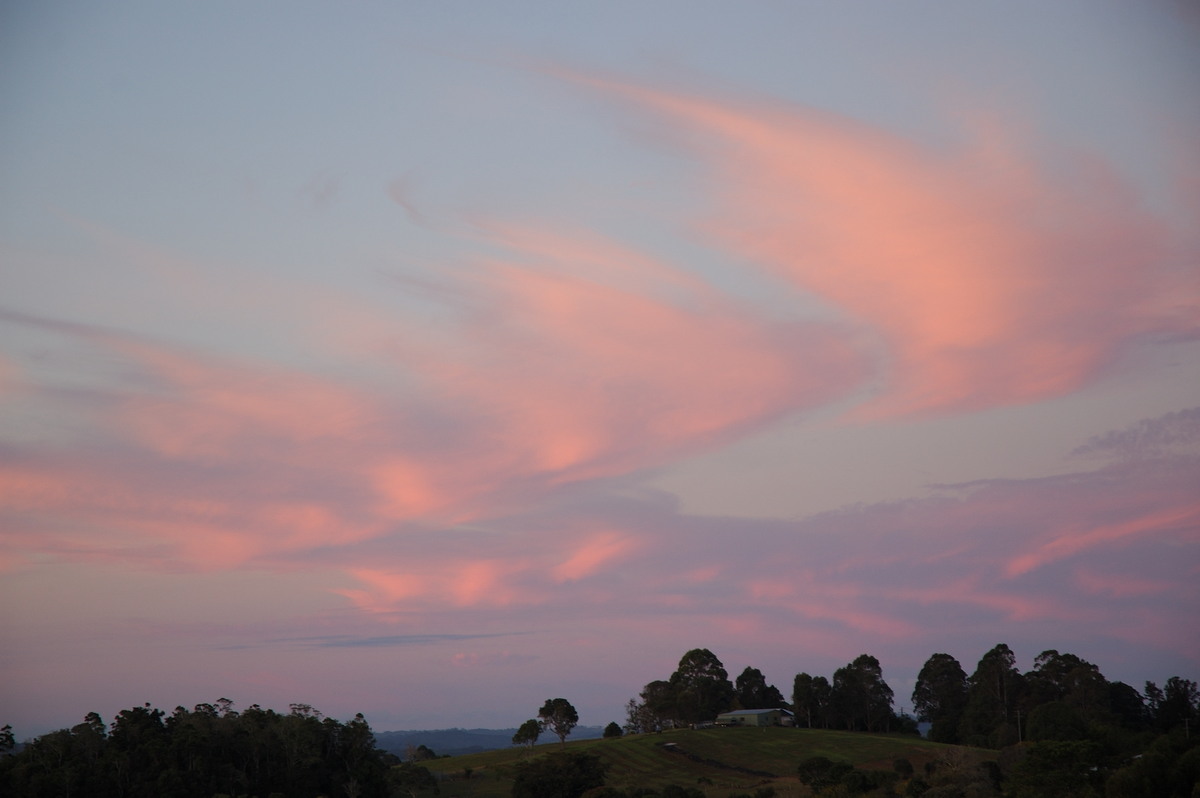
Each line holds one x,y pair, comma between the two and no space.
982,557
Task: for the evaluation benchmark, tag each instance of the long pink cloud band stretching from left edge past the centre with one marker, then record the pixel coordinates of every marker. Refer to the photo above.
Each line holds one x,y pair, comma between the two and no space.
568,358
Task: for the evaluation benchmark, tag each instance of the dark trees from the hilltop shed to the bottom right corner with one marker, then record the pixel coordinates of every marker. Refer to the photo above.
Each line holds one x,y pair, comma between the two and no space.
1060,729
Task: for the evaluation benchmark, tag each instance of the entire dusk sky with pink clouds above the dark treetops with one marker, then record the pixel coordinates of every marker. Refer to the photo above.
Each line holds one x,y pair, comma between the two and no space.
434,359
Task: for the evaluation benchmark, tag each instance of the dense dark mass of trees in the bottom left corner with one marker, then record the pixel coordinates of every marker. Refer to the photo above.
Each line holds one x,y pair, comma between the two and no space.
207,752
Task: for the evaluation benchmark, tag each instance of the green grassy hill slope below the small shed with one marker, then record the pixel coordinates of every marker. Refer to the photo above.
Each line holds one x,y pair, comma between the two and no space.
719,761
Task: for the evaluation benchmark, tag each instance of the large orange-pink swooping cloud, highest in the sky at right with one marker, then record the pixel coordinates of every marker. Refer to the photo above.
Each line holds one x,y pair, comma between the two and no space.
989,280
